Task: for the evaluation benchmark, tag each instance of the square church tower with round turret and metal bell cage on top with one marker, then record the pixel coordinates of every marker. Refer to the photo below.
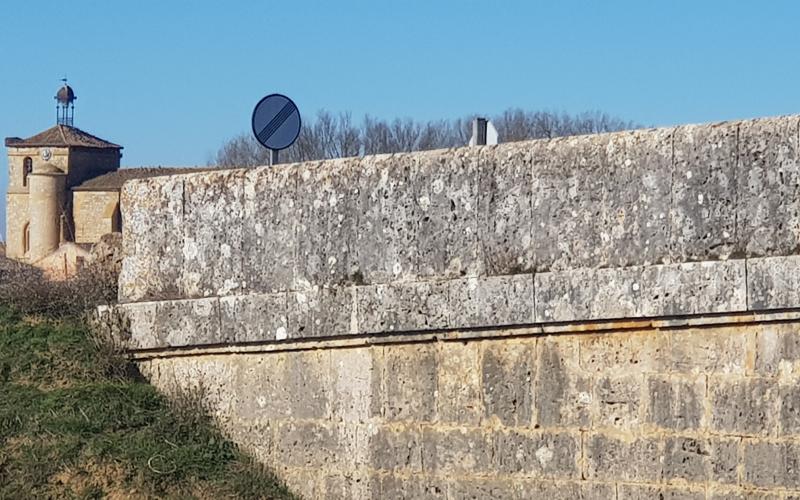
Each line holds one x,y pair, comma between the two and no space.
43,170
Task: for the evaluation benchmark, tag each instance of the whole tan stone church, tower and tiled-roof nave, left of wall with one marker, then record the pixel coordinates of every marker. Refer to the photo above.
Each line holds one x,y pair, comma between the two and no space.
63,192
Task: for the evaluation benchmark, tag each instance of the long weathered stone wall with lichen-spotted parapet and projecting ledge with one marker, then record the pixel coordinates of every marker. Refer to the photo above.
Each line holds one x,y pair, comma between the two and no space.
608,316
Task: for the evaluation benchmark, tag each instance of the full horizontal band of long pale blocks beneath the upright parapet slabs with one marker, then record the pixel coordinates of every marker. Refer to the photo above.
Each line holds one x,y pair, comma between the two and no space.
667,290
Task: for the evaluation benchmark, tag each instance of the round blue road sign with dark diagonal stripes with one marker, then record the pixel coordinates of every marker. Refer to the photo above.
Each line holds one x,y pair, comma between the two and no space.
276,122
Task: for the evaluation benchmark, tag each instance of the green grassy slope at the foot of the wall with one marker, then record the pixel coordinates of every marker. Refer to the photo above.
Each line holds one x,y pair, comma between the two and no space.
71,428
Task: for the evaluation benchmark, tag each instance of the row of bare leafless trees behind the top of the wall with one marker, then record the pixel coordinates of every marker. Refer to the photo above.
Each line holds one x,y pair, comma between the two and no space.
335,136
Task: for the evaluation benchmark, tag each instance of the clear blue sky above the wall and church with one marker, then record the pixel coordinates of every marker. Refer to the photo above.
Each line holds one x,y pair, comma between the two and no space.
170,80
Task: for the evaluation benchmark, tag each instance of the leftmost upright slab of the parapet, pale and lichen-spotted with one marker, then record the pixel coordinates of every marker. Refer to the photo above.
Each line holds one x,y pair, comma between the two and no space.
152,244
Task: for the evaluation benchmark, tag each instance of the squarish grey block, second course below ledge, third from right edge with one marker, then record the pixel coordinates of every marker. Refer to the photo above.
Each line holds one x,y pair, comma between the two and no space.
674,403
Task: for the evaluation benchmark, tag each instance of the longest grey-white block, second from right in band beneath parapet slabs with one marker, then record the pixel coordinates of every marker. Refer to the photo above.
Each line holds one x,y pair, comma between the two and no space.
615,293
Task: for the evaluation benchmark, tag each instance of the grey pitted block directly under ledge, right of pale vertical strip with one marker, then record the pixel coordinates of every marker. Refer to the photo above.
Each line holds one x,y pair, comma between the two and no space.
410,382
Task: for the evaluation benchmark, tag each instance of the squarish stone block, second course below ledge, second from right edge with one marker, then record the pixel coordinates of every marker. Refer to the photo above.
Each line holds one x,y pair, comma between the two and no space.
743,406
